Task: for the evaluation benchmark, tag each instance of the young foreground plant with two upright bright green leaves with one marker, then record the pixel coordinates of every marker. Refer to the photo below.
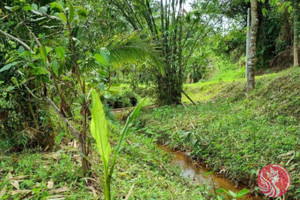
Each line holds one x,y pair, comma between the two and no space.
100,133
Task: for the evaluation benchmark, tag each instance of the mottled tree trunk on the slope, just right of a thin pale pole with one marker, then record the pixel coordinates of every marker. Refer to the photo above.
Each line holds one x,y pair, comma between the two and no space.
252,48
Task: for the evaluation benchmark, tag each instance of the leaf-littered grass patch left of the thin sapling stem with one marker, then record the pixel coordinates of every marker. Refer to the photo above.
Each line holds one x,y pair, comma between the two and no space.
33,171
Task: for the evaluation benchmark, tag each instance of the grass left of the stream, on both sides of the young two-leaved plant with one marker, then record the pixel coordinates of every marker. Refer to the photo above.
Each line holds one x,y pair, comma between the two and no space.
141,164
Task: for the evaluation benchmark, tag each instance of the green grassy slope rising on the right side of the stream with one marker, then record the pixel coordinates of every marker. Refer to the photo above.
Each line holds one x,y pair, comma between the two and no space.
235,133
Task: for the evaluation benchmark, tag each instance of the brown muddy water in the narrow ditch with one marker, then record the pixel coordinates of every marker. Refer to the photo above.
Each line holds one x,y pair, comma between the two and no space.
198,174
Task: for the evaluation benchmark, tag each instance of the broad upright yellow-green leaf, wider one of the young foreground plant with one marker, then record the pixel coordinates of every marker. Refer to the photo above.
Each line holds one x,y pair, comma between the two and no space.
99,129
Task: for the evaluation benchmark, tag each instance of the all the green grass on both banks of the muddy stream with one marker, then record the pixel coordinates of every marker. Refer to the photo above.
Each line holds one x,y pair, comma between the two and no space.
231,132
